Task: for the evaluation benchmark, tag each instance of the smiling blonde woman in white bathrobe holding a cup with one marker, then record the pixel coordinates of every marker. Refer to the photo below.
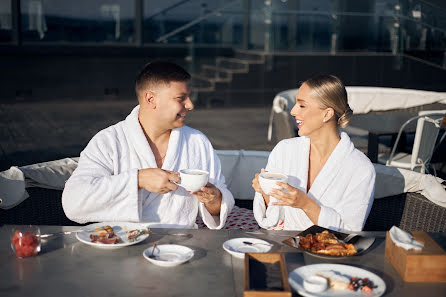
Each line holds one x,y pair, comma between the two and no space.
330,183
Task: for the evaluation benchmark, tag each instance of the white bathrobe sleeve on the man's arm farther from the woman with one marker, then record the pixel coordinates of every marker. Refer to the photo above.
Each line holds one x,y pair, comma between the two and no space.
94,192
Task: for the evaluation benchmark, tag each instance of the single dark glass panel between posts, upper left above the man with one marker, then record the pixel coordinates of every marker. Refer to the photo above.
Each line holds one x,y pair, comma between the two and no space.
81,21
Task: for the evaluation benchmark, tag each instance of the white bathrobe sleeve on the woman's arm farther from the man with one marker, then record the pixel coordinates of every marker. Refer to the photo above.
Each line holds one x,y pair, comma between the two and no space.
352,211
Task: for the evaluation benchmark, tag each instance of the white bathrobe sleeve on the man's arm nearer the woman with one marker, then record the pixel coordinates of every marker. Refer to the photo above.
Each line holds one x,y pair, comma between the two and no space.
218,180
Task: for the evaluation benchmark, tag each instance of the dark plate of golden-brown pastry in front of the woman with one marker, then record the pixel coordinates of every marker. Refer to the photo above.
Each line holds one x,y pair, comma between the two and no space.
325,243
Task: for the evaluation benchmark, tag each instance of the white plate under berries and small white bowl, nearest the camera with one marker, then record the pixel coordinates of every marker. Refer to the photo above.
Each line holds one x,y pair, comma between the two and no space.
297,276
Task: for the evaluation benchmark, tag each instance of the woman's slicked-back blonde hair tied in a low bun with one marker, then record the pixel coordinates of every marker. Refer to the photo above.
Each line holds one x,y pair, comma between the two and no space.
331,93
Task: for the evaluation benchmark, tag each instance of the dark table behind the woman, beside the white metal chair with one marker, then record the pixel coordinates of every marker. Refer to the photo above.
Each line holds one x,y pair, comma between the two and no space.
380,124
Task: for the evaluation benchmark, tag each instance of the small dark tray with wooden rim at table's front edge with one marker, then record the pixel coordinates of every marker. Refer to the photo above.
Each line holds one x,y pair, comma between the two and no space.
266,275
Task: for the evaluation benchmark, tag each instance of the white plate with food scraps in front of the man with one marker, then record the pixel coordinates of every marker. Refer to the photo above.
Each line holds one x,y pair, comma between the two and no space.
120,229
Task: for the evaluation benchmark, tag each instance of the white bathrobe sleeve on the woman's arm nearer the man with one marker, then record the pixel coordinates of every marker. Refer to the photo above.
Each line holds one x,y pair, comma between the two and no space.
268,217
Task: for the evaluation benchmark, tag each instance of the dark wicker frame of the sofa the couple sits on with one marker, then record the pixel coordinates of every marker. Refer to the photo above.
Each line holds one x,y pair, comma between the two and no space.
409,211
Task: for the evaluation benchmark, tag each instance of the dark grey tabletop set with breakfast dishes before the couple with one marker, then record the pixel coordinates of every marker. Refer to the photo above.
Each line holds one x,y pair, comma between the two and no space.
66,267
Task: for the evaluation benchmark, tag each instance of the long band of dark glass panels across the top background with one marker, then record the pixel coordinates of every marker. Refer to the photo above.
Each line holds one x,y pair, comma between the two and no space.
416,27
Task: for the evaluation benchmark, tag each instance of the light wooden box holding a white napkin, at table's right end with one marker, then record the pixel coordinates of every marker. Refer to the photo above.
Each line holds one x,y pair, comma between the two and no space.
427,265
